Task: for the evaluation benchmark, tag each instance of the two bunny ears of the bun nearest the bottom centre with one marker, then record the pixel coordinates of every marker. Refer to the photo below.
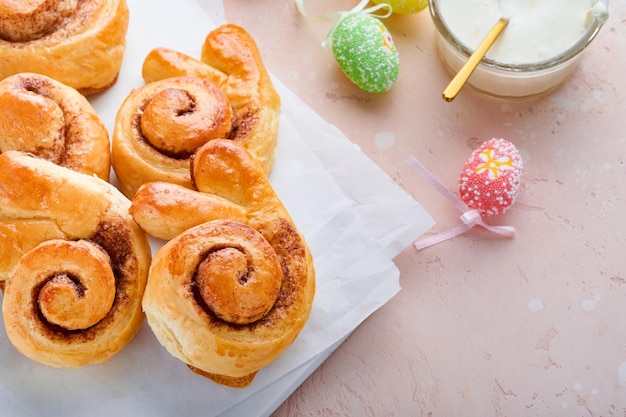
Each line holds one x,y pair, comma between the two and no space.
228,183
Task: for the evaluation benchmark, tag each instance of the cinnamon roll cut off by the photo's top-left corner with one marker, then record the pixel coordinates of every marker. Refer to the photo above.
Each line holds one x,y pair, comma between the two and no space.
79,43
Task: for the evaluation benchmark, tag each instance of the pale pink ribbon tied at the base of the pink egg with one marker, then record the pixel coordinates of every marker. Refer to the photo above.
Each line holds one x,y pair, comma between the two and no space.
470,217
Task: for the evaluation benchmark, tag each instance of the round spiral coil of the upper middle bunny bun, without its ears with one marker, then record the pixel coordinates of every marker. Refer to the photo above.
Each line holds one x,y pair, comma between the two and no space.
159,126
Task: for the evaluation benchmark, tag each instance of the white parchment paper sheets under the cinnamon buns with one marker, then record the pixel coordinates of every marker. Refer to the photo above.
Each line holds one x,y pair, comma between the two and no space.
354,218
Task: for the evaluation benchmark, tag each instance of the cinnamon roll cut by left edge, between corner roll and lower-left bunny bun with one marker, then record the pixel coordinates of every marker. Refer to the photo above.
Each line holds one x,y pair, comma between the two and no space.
53,121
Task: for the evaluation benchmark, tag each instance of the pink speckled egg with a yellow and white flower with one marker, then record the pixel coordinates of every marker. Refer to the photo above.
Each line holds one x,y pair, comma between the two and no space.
490,179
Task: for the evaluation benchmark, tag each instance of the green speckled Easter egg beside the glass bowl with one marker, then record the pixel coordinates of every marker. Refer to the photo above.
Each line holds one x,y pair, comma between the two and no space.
365,52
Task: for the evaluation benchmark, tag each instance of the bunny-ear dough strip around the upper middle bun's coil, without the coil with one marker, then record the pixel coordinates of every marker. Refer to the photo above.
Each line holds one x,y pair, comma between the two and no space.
230,58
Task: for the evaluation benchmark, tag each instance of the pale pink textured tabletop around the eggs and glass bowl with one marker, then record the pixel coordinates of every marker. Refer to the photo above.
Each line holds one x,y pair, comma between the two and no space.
532,326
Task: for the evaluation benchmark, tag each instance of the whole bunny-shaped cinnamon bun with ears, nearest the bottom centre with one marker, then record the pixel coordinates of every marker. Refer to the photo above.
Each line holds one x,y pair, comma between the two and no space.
228,295
